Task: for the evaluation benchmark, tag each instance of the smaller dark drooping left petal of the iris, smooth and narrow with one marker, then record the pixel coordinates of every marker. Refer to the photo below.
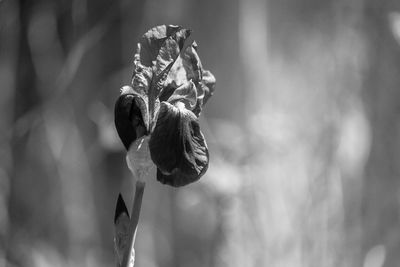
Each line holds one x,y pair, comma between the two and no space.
131,117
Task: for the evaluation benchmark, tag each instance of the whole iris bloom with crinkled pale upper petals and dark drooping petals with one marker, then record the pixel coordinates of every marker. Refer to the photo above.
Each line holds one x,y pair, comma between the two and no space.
168,90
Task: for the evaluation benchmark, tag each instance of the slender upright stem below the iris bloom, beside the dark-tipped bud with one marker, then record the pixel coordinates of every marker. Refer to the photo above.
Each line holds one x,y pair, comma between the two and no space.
129,255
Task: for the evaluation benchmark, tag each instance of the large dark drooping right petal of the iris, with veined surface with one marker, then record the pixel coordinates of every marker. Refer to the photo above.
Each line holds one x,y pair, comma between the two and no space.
177,146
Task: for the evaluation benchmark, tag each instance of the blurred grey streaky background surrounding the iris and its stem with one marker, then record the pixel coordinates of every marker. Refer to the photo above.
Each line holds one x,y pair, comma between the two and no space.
303,132
